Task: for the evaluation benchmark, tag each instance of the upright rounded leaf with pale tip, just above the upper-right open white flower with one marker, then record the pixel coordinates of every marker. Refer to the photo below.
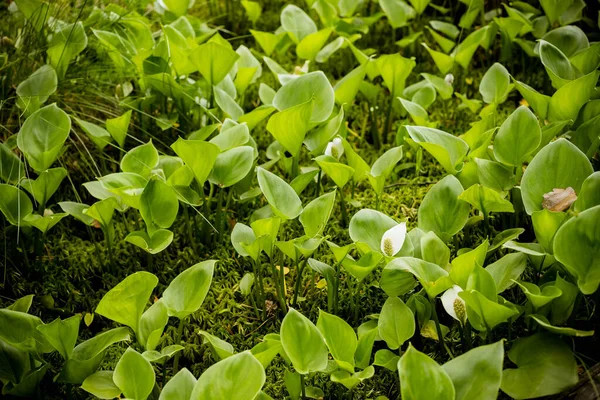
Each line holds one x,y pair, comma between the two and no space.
441,211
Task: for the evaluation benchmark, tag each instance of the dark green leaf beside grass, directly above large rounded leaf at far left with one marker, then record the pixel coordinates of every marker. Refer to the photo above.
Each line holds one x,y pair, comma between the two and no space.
35,90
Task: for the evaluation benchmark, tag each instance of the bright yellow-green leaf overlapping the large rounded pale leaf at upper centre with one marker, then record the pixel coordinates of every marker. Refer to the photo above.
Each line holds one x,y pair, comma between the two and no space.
289,126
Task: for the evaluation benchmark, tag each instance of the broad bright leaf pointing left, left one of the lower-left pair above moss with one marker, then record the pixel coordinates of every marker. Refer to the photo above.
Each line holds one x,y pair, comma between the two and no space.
126,302
